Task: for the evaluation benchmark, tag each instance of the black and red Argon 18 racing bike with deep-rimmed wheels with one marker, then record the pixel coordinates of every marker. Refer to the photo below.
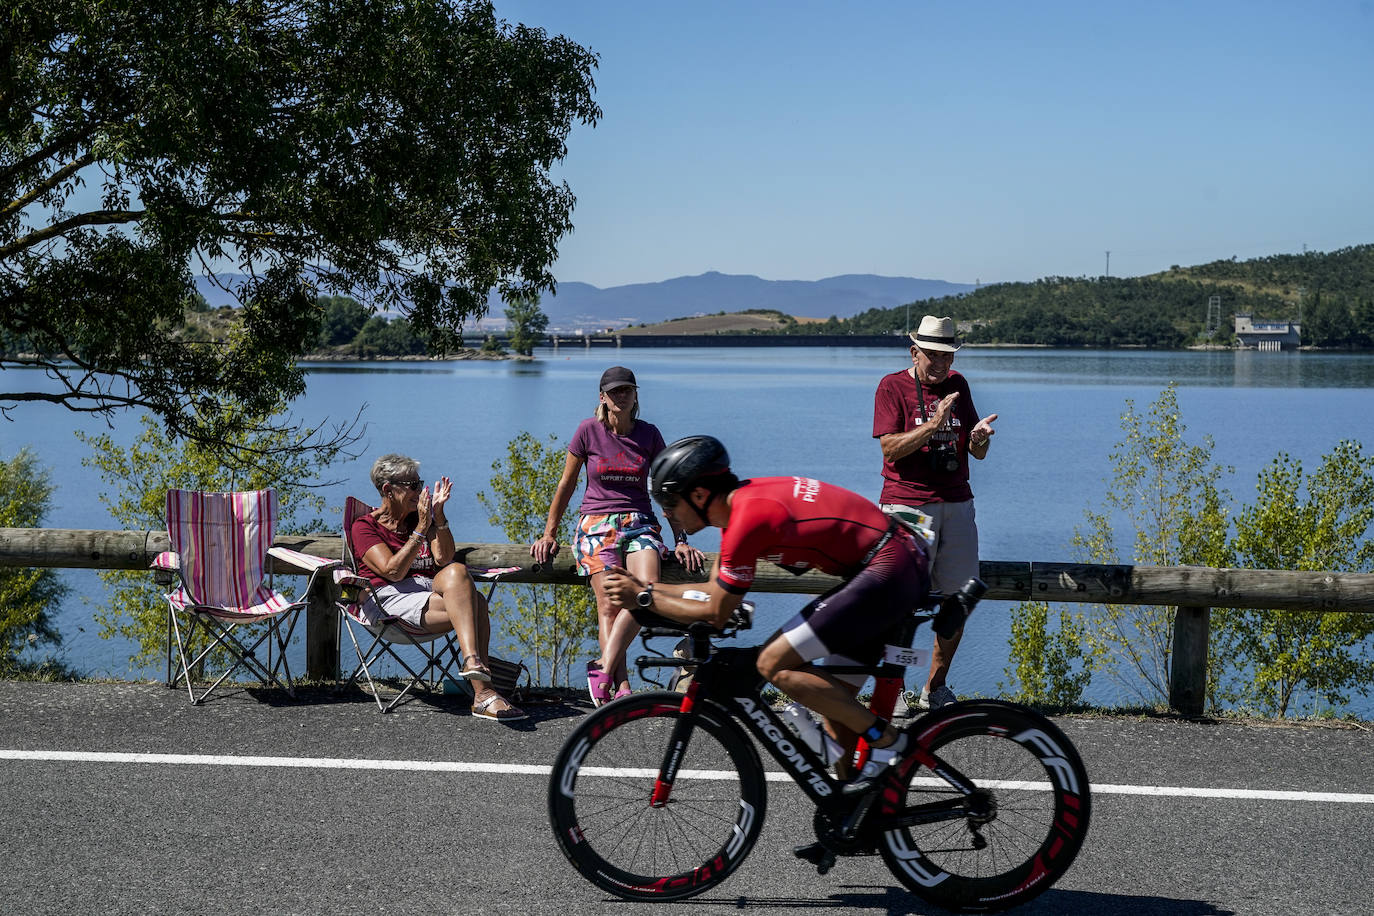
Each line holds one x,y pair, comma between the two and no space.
662,796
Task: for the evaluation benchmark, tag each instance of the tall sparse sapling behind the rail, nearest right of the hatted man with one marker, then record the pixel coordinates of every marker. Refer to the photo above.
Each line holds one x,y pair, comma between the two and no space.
1166,491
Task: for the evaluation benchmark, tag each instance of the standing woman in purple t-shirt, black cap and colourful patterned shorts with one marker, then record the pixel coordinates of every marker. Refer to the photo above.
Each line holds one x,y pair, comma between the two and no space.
616,520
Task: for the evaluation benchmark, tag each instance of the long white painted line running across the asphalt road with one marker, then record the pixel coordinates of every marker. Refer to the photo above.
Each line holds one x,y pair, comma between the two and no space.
538,770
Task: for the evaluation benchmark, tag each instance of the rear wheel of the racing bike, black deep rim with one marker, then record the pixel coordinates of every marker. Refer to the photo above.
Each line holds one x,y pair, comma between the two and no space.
1017,836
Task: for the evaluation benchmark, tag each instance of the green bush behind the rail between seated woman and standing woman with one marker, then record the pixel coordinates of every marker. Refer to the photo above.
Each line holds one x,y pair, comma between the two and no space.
550,624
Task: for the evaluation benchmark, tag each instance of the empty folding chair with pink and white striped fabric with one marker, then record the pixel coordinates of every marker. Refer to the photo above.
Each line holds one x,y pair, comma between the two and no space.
218,566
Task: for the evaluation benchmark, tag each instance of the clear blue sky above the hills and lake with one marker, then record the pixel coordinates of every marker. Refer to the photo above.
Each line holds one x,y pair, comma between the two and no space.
965,142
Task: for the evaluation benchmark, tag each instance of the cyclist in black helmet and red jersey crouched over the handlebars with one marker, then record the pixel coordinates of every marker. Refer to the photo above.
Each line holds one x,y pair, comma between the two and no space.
799,524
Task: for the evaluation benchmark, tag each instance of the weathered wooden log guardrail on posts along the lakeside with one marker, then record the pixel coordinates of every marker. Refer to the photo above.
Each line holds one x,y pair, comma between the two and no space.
1192,590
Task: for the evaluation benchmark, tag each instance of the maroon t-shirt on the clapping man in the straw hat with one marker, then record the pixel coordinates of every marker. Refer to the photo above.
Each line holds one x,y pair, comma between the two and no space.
897,409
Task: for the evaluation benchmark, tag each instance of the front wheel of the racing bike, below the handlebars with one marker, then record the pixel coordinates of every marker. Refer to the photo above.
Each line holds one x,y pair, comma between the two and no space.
601,788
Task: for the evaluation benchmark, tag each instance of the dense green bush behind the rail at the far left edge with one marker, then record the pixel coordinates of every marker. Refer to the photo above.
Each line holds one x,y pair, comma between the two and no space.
27,595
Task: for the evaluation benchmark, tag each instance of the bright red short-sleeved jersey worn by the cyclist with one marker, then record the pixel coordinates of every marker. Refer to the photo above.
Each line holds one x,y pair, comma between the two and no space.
799,524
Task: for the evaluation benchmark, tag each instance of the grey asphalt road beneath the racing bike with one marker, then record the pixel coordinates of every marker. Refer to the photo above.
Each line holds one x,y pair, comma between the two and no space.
413,832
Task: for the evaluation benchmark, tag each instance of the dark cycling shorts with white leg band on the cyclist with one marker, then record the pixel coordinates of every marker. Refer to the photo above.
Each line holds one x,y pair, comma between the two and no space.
855,619
